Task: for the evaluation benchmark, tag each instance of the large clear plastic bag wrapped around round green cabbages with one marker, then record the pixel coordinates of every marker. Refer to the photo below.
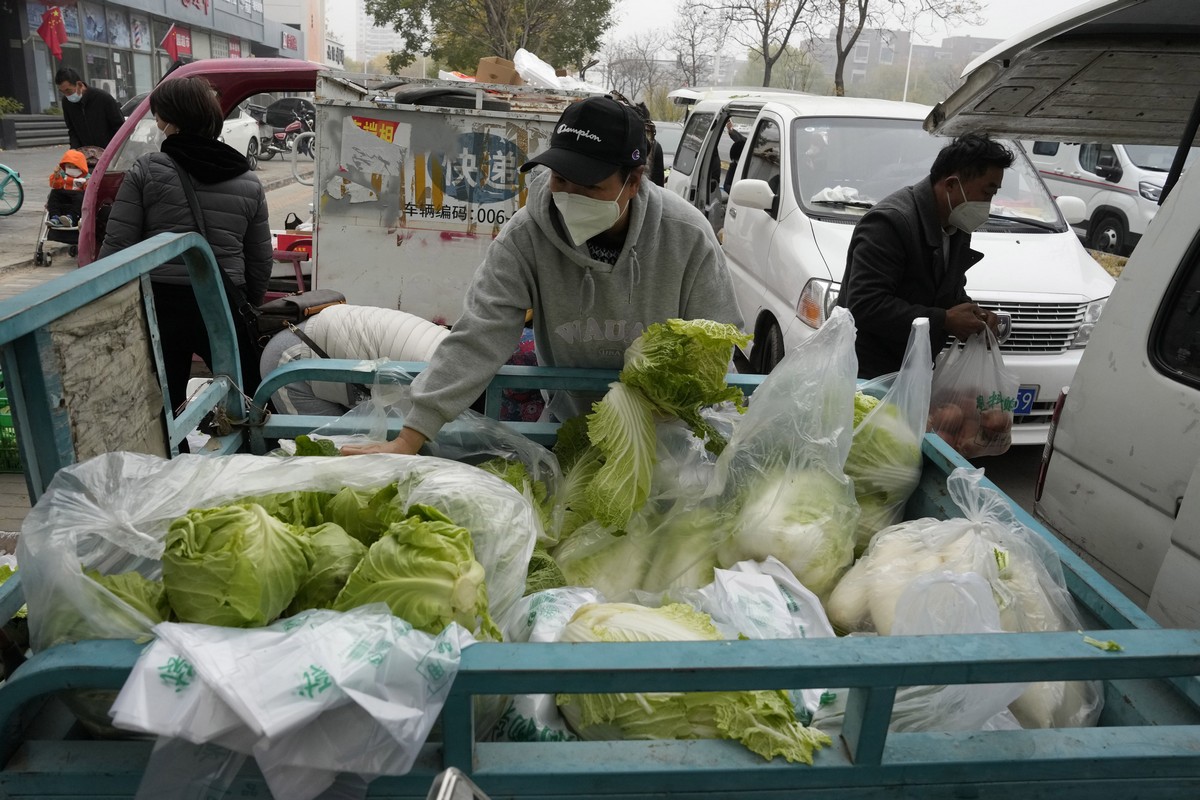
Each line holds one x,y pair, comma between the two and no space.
111,514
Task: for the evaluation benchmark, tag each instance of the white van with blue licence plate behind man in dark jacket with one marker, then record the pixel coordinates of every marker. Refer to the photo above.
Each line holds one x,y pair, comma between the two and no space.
785,237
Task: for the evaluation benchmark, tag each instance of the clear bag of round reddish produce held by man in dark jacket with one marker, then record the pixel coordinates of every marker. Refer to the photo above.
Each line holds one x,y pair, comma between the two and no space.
974,398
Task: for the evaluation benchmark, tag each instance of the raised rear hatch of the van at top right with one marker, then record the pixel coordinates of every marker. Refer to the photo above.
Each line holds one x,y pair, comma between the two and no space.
1108,71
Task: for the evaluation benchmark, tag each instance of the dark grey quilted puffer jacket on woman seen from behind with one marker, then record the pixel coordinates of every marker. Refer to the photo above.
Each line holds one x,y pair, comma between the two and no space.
152,201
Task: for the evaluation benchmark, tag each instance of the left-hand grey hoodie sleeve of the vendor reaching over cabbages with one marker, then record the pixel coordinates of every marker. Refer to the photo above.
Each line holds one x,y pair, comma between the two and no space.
482,341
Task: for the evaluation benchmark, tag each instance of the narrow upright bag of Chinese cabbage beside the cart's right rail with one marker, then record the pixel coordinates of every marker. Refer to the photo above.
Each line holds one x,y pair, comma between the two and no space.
885,458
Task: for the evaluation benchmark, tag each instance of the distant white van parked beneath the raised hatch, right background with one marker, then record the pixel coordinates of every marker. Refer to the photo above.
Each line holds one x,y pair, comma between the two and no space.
1120,185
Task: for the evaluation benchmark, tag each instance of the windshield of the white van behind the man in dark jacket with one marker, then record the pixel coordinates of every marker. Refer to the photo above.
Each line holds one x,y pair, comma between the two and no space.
844,166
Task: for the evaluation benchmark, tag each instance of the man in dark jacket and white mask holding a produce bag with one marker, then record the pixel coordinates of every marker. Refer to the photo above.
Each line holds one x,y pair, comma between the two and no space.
910,255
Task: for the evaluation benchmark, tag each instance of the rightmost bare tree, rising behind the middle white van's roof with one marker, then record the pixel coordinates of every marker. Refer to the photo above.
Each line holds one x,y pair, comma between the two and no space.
850,17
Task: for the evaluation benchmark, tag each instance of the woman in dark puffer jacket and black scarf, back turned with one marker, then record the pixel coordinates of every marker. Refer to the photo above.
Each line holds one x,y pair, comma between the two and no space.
152,201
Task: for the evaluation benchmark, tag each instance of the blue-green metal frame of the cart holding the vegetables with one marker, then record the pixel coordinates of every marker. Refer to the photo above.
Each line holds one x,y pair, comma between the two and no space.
1147,745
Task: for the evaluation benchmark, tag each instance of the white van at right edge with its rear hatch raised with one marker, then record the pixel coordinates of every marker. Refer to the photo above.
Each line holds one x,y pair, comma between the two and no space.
1121,476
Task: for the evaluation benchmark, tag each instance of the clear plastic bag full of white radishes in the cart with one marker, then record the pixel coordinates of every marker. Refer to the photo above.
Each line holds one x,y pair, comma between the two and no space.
1021,569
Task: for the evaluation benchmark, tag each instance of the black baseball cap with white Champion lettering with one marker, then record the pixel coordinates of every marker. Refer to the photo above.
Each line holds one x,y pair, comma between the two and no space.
592,140
